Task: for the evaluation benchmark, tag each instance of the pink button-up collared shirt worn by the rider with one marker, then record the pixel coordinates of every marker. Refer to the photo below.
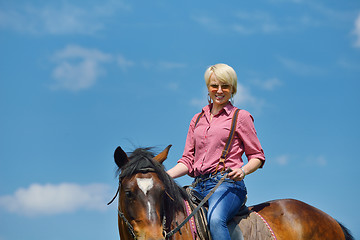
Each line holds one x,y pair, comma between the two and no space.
205,143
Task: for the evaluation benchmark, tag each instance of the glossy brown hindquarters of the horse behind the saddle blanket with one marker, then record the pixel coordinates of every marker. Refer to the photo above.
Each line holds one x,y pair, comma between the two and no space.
293,219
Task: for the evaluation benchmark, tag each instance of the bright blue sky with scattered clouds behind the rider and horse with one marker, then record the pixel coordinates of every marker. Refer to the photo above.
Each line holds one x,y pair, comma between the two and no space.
79,78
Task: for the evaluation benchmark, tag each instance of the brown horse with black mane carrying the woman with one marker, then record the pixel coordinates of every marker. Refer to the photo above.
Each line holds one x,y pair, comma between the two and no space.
151,206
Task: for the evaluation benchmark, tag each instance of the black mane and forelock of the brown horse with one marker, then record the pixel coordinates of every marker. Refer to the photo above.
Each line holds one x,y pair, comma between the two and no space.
141,160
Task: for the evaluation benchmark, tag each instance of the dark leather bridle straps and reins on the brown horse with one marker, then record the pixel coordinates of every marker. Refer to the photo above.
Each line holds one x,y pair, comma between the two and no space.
179,226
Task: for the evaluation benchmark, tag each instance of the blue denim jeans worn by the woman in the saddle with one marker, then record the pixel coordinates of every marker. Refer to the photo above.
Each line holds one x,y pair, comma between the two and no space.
223,204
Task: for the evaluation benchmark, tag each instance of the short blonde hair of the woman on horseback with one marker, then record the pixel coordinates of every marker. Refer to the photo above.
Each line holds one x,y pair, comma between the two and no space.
224,73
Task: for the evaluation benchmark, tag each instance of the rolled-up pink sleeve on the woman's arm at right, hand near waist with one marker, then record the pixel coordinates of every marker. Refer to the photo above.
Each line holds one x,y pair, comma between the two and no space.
246,131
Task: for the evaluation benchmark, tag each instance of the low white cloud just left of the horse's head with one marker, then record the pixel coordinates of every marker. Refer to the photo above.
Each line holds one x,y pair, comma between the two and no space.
52,199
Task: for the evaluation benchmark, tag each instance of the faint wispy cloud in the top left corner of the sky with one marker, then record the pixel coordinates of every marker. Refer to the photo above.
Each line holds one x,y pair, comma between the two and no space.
59,18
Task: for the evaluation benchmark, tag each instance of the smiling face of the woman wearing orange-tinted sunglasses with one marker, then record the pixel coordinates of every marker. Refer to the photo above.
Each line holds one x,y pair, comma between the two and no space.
219,92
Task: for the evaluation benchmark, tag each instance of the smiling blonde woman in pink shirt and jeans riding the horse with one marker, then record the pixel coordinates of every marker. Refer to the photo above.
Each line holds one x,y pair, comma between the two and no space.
208,133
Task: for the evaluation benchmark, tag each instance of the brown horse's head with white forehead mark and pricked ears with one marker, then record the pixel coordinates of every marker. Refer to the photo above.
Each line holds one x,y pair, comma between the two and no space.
146,194
